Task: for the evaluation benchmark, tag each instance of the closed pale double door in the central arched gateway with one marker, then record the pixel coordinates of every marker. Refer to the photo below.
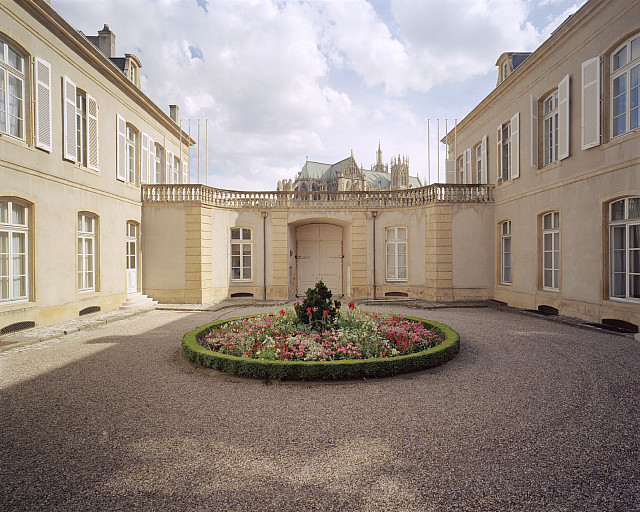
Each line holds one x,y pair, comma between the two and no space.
319,257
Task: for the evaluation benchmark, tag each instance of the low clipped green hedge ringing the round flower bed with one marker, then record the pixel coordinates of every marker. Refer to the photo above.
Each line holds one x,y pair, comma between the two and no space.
317,370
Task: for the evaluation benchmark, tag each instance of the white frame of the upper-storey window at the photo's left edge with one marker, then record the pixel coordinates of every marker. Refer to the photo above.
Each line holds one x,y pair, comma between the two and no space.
8,71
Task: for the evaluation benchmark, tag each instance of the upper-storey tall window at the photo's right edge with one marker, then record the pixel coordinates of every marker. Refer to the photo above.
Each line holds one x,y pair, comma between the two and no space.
625,87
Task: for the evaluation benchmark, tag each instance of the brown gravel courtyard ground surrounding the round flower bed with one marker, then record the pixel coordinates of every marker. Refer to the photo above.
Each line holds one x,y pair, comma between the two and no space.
531,415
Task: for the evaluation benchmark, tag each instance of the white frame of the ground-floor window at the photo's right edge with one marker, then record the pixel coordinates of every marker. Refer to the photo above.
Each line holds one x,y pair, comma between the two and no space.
623,224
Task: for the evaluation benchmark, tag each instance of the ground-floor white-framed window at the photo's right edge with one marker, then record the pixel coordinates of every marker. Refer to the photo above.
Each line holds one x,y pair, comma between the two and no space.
624,243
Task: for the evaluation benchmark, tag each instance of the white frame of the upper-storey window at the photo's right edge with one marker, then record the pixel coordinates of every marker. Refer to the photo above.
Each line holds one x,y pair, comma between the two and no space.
626,70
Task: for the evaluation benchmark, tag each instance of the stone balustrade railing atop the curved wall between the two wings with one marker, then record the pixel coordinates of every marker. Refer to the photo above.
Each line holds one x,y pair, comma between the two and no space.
436,193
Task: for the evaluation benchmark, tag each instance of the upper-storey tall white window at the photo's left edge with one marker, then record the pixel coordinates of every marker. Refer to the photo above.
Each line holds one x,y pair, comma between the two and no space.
12,78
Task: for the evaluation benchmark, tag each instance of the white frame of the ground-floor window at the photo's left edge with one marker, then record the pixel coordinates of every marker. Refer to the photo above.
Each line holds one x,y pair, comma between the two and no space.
11,229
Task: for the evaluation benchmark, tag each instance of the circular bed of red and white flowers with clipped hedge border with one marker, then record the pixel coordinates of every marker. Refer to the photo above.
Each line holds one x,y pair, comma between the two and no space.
351,344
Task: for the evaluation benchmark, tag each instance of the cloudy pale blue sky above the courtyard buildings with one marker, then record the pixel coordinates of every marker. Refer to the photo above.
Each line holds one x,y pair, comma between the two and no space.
281,81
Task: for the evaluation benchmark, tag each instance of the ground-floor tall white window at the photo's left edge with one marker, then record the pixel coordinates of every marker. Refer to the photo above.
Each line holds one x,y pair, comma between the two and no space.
14,234
